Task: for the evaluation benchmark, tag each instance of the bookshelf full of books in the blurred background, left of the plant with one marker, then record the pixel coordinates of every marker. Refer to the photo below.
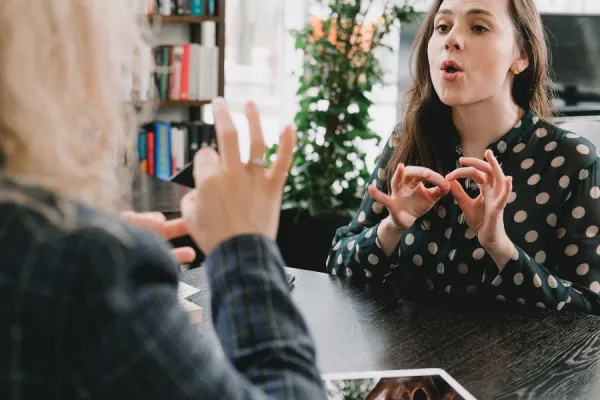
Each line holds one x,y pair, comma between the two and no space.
185,72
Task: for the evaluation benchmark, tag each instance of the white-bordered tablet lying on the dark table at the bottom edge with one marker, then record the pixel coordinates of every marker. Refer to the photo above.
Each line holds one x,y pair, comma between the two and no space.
412,384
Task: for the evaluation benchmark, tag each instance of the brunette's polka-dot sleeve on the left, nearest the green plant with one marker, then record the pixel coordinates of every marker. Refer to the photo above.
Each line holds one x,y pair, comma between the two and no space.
356,252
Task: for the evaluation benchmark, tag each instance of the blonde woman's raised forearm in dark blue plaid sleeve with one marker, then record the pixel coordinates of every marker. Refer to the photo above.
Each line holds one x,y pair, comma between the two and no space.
261,330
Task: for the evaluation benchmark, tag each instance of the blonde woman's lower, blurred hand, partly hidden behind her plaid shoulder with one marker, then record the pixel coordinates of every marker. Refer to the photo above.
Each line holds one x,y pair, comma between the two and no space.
157,222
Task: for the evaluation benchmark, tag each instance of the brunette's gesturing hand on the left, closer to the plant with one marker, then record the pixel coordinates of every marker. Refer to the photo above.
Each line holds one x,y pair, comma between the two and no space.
409,198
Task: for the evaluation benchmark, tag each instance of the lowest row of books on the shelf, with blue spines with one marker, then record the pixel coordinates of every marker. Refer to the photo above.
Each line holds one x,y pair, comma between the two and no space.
165,147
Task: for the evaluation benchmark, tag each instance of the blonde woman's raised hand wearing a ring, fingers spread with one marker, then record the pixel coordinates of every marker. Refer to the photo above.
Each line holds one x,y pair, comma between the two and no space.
232,198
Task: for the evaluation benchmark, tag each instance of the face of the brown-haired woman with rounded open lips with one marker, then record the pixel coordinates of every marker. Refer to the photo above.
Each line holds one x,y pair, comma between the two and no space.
472,51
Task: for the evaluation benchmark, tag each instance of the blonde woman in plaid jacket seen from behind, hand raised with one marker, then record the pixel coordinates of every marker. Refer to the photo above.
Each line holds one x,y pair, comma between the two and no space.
89,305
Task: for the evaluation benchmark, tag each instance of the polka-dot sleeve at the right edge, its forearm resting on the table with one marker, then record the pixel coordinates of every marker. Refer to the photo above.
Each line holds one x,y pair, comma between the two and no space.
570,276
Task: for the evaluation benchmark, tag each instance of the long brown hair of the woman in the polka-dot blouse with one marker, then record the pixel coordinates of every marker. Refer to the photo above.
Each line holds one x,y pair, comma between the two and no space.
422,137
